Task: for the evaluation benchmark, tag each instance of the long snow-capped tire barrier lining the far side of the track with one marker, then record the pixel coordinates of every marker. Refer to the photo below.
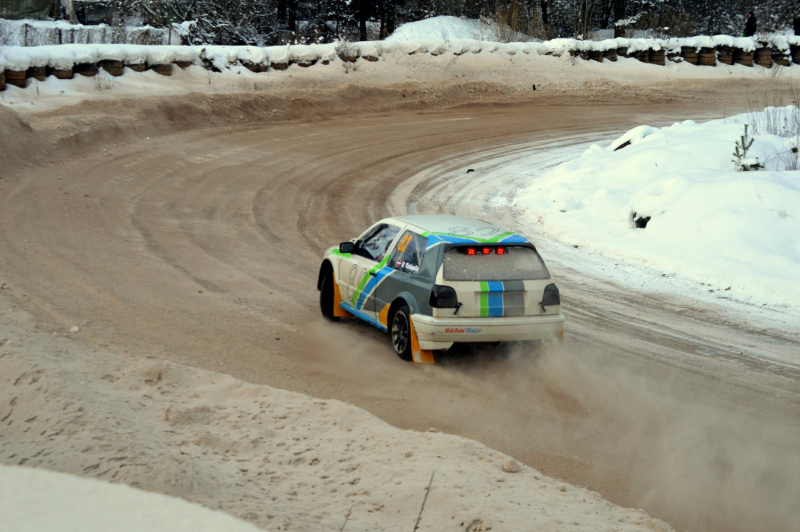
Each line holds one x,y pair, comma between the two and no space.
65,61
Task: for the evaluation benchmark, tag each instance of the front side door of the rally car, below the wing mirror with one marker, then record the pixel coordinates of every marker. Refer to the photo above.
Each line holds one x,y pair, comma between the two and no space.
358,271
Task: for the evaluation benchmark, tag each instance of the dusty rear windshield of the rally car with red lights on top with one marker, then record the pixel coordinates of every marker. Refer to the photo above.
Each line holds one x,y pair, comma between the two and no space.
513,263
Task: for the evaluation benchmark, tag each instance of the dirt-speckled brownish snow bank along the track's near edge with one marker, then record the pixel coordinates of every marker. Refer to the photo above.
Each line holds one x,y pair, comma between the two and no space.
279,459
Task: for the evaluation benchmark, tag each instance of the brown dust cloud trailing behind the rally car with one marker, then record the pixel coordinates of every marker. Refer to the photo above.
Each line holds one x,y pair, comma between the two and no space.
683,450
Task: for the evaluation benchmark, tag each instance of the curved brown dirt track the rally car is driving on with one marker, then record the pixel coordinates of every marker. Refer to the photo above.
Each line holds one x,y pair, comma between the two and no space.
201,246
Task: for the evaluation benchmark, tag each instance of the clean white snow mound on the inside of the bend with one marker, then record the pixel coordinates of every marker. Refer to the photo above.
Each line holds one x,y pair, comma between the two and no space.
737,232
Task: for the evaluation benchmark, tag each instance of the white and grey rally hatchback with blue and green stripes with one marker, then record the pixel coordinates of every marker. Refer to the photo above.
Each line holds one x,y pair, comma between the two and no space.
432,281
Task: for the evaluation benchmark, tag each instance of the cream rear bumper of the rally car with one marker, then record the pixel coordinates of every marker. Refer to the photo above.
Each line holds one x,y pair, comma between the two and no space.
442,333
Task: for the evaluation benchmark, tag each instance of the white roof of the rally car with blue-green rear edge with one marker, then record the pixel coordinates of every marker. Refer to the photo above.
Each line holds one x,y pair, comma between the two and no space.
459,229
